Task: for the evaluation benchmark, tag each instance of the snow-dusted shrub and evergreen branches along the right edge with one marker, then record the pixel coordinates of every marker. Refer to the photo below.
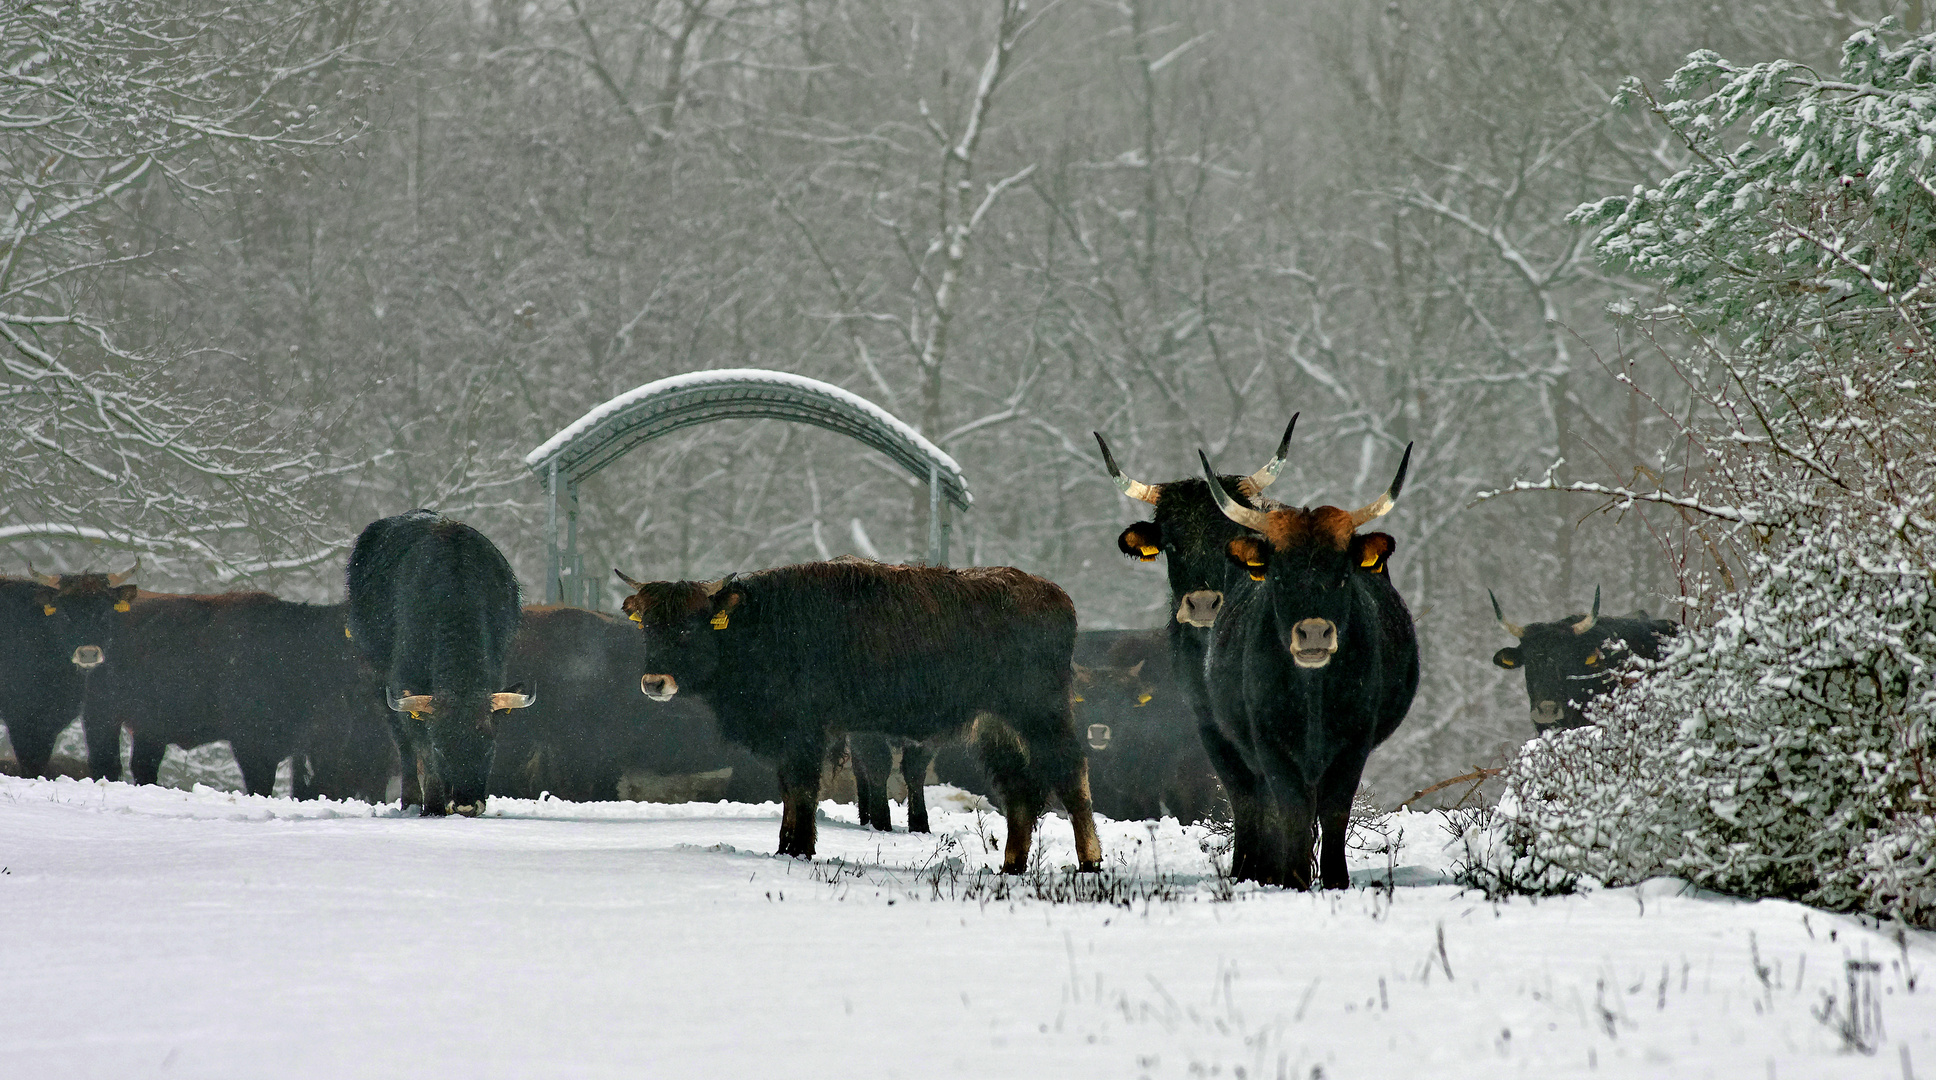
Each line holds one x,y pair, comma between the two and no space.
1782,748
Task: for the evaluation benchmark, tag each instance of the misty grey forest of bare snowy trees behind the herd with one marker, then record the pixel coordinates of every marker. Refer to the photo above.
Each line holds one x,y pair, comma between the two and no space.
361,256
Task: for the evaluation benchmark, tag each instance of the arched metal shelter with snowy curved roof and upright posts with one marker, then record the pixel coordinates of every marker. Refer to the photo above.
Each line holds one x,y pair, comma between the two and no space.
741,394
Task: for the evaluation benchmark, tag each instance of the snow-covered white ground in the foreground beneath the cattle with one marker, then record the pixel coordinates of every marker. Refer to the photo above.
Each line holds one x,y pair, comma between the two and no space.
204,934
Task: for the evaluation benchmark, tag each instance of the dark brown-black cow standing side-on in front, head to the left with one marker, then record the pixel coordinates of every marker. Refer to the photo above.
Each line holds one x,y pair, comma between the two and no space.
793,657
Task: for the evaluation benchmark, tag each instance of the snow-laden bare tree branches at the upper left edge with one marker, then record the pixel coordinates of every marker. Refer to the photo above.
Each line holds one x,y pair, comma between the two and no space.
102,440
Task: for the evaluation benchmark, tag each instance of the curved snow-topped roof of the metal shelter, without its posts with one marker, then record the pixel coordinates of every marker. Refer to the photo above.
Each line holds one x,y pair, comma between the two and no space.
739,394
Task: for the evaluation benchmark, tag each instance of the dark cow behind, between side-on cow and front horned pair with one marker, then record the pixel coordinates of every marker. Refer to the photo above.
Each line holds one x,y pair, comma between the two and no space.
1147,756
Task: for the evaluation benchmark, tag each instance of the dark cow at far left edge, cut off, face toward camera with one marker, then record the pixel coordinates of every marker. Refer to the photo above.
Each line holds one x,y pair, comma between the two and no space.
53,634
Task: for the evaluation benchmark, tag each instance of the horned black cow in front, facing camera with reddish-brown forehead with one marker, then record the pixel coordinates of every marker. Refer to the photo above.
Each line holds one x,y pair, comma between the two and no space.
1308,673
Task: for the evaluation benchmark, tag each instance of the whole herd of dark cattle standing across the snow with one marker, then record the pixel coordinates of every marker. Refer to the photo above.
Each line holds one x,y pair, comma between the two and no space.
1288,659
